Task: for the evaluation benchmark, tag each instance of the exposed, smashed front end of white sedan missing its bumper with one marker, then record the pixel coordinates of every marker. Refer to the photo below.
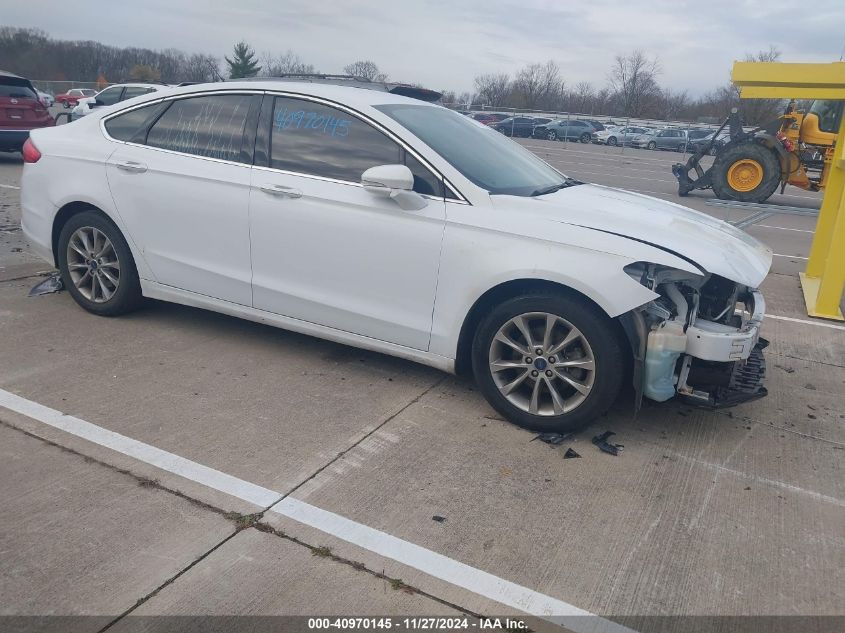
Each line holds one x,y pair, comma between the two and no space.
698,340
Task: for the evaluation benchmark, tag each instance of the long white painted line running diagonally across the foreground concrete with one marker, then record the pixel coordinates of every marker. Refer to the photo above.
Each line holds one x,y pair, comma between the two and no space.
383,544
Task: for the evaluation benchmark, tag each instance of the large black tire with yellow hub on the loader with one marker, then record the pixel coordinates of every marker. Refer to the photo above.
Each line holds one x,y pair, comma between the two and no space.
759,157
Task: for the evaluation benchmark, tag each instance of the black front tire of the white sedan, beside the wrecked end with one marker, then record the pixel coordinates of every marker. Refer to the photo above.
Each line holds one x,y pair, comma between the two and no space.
597,341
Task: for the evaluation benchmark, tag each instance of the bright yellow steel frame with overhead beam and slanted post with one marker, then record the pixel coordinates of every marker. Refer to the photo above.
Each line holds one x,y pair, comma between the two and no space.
824,279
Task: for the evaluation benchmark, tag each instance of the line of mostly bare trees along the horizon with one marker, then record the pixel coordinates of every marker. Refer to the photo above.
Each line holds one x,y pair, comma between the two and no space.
631,88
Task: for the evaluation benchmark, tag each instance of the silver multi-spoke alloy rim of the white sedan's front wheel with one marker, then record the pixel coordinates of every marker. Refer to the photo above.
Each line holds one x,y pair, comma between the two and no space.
542,364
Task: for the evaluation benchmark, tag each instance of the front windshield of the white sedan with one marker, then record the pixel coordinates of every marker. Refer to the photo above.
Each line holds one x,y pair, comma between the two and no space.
482,155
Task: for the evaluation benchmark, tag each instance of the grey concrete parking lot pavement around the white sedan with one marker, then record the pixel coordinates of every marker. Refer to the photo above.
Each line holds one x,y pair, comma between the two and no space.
736,512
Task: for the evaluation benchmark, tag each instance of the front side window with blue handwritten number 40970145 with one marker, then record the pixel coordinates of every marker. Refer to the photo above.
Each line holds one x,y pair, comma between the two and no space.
312,138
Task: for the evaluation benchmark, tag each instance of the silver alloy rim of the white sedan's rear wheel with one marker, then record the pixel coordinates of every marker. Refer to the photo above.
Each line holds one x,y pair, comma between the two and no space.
93,265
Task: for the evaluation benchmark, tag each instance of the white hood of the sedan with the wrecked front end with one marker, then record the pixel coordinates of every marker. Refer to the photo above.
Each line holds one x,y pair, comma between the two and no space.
713,245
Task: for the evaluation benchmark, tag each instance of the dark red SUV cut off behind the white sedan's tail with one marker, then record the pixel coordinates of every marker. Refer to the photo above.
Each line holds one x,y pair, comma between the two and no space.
20,111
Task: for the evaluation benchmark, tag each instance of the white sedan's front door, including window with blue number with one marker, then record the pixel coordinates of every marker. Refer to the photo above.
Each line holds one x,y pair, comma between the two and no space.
326,251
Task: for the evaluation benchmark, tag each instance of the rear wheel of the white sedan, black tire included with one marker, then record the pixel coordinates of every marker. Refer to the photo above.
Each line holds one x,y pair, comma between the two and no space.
104,297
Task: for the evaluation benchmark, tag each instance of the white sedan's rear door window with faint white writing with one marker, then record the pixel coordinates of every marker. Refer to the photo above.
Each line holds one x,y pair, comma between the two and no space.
211,126
